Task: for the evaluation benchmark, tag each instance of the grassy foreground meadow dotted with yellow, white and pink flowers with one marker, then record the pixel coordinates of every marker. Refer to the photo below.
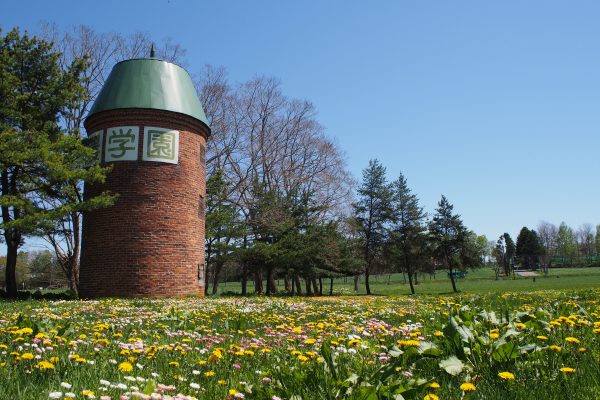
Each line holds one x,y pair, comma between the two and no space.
536,345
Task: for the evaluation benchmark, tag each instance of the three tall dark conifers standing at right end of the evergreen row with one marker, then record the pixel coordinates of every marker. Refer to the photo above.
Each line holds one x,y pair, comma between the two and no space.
393,233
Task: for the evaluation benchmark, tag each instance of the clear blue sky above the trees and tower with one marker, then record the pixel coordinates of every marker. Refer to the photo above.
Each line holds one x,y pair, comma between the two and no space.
494,104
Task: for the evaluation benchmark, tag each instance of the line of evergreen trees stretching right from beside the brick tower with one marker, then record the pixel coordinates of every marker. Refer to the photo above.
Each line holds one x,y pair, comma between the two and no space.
294,237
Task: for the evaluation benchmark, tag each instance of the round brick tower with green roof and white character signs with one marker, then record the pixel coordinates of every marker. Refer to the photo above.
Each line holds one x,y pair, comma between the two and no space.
149,126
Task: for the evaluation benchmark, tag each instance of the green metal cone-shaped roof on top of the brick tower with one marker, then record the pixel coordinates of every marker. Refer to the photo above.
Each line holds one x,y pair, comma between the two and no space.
149,83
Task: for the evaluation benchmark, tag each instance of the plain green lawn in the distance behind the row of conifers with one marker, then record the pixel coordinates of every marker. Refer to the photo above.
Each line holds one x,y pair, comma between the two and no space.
477,281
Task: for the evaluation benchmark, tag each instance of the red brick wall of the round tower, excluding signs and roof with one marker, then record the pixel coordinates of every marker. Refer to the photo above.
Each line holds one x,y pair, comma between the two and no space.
151,241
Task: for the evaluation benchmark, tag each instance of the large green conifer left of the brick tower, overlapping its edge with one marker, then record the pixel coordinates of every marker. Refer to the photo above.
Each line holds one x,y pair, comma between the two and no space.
38,163
